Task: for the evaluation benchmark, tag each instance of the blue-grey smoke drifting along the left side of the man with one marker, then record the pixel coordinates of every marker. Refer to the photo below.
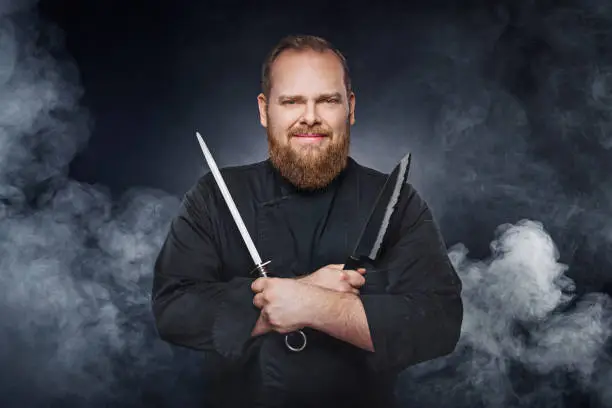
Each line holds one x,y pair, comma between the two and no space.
76,266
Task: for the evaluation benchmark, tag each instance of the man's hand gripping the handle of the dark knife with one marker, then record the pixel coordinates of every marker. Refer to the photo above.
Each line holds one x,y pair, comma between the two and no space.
332,277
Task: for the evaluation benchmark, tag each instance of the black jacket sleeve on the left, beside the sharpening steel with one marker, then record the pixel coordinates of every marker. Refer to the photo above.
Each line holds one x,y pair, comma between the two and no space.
192,307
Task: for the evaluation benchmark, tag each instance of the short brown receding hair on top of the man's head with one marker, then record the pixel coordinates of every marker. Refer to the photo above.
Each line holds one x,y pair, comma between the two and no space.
300,43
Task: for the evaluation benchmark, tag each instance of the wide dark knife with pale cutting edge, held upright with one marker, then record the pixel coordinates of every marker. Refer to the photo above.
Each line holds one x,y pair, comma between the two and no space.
368,245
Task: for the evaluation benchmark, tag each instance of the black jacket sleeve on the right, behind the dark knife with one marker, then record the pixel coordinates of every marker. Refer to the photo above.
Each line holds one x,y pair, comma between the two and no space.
418,316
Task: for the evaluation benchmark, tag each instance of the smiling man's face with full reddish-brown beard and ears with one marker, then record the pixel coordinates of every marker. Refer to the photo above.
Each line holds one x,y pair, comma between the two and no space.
308,117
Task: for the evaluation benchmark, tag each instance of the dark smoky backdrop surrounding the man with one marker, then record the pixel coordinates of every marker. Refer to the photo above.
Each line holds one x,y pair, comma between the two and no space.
505,105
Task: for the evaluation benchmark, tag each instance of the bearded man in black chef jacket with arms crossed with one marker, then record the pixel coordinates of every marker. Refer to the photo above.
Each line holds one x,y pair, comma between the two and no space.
304,207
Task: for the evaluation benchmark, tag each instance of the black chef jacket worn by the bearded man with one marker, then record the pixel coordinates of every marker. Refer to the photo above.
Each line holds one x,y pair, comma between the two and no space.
202,297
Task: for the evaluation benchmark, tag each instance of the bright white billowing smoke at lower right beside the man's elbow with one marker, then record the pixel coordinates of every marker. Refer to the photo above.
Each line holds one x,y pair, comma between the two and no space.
518,314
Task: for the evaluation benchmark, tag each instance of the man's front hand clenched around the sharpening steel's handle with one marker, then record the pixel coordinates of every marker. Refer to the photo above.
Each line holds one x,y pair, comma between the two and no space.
286,304
